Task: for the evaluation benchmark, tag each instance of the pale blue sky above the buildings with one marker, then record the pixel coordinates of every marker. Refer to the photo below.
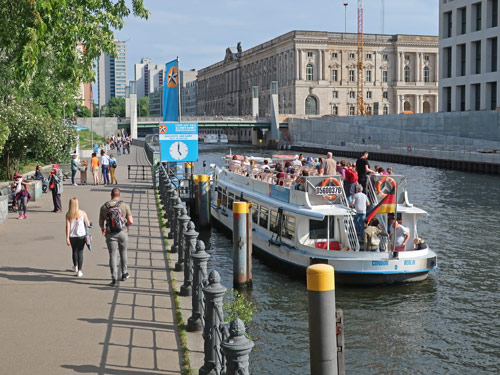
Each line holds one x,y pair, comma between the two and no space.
199,31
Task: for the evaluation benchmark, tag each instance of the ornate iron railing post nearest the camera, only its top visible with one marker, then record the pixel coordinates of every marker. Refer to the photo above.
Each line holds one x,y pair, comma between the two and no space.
237,349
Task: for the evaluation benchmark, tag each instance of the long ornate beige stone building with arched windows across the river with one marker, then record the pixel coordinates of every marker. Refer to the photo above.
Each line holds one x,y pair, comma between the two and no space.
316,75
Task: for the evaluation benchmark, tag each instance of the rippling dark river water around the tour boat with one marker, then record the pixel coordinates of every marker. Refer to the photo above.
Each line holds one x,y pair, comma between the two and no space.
447,324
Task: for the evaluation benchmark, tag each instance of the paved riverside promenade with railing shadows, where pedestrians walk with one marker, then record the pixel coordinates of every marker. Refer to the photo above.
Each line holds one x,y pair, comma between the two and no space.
55,323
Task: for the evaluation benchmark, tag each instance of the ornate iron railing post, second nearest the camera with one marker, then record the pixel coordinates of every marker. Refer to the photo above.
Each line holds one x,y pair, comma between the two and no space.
214,294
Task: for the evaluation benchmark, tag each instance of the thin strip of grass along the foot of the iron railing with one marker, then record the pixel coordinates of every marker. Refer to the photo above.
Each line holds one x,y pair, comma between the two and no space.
181,326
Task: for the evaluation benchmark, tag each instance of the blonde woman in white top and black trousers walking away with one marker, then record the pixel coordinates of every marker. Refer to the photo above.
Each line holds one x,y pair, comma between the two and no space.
76,223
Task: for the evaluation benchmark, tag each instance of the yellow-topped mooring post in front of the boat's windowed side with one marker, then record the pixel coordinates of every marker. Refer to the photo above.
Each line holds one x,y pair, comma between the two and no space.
242,247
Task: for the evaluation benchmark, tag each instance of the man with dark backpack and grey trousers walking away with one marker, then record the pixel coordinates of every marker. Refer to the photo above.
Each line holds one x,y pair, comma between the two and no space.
114,219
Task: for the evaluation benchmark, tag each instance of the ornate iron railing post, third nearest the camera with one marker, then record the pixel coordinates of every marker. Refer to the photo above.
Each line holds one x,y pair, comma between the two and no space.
200,260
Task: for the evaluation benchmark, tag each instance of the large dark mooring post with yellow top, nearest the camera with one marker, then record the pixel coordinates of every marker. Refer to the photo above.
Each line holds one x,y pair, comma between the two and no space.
322,319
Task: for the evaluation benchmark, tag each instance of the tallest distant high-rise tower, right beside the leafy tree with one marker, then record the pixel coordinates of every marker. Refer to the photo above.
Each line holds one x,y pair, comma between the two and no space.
112,74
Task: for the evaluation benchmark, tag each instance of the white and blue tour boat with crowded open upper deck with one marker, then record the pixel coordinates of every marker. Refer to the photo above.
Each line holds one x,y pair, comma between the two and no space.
308,221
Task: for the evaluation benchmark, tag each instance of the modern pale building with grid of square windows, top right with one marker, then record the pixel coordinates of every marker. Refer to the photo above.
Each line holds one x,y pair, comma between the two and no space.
468,52
